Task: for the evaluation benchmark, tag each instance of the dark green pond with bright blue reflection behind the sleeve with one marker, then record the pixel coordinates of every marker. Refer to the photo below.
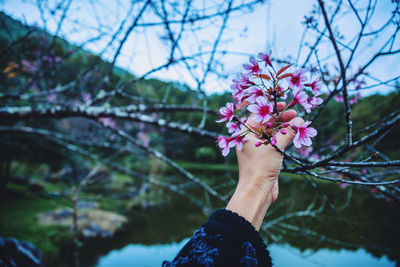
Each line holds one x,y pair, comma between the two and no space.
351,227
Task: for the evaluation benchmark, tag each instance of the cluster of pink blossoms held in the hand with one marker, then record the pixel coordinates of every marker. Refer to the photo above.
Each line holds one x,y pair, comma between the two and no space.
257,91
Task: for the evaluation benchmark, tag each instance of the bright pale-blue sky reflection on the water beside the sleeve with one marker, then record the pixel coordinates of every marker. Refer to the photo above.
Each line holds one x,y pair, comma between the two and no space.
282,255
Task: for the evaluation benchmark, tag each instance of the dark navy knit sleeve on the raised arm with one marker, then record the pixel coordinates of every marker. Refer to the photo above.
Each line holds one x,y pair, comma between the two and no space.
226,239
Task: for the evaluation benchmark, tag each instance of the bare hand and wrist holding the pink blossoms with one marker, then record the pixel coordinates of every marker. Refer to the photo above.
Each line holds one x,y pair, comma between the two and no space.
259,168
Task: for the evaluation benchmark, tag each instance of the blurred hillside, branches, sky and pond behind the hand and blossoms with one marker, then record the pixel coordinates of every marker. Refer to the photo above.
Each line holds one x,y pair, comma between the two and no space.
107,128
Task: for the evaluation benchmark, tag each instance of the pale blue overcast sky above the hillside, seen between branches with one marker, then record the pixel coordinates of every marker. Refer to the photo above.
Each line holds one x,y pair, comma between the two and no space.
272,26
